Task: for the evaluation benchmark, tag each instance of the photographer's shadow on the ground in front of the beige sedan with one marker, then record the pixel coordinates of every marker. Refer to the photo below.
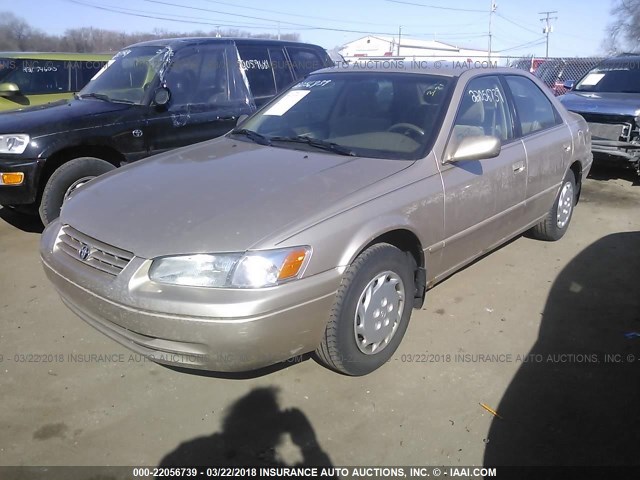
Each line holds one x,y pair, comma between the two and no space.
252,431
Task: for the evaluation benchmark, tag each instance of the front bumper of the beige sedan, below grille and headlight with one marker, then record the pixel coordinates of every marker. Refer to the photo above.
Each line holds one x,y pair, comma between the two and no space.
246,330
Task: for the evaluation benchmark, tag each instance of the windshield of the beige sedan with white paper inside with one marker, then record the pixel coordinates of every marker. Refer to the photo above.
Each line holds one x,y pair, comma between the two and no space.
368,114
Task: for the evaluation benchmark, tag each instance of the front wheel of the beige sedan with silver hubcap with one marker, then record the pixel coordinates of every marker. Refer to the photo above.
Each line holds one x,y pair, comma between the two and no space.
349,342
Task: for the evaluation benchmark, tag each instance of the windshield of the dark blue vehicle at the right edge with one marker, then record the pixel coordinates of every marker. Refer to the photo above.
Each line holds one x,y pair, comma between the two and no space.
621,77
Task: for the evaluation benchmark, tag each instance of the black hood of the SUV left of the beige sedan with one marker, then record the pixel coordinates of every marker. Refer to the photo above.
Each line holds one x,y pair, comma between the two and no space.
57,117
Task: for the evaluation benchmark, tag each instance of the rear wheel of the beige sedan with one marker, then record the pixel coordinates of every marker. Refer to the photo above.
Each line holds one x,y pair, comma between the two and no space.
556,223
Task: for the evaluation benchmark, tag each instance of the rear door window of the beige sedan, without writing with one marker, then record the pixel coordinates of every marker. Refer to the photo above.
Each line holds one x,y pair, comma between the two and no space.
535,111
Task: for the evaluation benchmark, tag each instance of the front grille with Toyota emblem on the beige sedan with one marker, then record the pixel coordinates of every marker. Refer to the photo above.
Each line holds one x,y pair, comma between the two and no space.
92,252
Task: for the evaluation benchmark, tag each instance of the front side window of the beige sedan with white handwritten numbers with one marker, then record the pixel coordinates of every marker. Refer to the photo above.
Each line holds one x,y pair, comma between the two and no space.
483,111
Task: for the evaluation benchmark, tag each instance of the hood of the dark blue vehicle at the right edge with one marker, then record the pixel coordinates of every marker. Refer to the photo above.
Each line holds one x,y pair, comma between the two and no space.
627,104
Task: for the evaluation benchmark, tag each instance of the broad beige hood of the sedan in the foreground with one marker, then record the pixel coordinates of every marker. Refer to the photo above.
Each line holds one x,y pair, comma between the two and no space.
217,196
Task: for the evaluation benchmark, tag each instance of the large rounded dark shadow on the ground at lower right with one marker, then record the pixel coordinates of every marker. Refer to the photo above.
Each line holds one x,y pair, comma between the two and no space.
570,404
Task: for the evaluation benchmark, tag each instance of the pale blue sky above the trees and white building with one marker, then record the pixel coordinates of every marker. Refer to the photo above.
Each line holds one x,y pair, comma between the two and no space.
579,29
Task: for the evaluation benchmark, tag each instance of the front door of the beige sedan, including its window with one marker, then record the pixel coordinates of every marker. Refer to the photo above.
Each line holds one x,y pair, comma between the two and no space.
484,199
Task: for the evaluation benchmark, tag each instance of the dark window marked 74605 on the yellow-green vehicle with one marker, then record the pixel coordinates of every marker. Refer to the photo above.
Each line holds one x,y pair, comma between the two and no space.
40,76
